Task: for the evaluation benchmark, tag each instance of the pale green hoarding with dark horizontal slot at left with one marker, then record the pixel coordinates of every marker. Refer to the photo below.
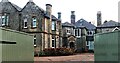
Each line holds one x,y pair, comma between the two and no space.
16,46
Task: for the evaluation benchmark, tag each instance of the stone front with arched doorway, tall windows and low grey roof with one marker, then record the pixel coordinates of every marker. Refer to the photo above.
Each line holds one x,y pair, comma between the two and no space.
74,37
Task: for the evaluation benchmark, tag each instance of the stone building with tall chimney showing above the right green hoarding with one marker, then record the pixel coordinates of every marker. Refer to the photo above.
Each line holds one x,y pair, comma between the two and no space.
107,26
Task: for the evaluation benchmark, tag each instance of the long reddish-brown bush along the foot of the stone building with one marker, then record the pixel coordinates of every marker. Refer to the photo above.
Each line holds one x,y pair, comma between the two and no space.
58,51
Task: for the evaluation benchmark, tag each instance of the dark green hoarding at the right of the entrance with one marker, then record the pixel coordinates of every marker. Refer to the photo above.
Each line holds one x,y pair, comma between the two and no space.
107,46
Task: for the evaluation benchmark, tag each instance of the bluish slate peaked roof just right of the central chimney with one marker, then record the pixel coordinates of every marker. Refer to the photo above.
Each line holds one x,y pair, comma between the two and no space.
82,22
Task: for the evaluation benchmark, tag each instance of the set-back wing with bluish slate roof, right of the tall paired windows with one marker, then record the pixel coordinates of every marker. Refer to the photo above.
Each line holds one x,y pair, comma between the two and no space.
90,31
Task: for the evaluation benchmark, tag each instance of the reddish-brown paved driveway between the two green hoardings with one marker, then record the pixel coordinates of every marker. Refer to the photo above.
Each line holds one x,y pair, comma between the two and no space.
77,57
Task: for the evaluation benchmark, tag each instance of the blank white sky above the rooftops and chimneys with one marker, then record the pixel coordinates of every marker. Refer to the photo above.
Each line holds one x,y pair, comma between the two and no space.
86,9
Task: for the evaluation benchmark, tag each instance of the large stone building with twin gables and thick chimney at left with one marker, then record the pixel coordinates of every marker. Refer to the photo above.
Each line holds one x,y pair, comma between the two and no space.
32,19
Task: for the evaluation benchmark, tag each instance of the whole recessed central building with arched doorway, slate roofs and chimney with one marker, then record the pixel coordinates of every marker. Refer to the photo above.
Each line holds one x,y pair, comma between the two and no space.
78,35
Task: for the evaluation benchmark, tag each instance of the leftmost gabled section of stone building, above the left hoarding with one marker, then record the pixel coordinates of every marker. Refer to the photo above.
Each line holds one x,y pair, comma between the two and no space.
9,14
